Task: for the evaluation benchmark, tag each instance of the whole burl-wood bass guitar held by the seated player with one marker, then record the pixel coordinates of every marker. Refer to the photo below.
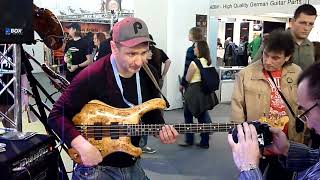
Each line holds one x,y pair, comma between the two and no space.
109,129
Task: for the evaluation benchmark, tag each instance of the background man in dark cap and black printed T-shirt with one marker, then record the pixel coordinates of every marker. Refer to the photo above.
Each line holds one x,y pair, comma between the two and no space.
77,52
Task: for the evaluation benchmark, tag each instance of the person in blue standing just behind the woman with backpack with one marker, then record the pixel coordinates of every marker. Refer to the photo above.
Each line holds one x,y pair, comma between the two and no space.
195,34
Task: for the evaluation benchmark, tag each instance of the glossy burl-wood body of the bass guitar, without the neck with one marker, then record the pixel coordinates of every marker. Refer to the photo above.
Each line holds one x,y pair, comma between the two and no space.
98,114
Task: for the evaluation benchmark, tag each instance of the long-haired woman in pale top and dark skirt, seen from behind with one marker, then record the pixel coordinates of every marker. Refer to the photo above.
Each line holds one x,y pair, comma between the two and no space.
197,103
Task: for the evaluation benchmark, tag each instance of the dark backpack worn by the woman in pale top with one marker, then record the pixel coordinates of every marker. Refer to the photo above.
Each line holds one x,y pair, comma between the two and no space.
209,78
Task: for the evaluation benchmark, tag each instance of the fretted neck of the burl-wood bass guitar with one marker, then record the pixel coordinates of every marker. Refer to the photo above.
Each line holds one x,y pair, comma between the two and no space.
153,129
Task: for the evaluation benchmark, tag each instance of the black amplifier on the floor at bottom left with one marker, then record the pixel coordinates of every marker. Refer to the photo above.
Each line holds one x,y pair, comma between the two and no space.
34,158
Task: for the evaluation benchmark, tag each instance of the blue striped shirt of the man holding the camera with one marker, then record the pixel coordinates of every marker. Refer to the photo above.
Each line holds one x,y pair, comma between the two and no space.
300,158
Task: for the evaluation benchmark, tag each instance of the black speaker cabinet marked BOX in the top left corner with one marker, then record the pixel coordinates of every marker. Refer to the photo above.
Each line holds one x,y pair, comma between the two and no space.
16,22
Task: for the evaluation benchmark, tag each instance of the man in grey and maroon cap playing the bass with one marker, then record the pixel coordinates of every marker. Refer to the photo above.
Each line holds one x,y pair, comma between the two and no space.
117,80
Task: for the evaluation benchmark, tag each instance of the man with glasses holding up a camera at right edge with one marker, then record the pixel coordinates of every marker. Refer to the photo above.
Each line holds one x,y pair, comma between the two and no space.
294,156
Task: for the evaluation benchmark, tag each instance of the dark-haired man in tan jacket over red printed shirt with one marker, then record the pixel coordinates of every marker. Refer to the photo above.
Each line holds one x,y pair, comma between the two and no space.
256,96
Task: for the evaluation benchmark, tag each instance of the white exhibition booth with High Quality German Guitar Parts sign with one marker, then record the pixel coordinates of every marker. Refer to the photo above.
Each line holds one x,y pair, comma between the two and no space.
236,19
